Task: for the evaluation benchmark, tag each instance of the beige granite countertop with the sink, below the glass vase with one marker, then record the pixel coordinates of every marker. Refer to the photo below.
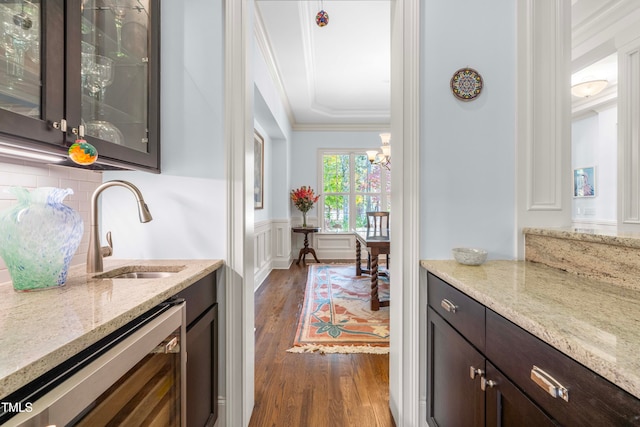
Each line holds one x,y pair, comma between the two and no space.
39,330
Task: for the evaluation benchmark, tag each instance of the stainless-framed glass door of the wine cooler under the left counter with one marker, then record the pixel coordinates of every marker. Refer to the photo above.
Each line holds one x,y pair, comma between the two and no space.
73,401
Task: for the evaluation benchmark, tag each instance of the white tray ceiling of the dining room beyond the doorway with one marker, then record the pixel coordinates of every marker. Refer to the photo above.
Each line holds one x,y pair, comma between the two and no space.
337,76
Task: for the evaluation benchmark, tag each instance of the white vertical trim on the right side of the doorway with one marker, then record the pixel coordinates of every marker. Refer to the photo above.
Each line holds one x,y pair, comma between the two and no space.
404,362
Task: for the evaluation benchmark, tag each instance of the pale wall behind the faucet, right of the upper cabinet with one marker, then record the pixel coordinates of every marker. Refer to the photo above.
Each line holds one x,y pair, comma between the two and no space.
188,199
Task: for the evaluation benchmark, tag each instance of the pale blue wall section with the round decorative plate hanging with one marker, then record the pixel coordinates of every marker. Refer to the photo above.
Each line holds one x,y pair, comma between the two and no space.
468,148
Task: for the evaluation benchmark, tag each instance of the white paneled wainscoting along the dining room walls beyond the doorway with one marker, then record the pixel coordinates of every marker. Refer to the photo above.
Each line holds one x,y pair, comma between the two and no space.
276,247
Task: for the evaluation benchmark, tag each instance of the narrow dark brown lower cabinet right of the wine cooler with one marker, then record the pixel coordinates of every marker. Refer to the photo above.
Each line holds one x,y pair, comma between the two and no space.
202,352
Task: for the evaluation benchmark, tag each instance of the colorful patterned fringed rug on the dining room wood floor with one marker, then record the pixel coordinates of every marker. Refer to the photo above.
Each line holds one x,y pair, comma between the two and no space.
336,314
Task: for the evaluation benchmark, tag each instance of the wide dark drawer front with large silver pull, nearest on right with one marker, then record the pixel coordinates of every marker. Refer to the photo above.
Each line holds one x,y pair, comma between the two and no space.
592,400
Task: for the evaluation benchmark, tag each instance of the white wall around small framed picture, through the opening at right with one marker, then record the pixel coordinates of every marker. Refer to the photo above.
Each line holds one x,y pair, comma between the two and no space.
594,143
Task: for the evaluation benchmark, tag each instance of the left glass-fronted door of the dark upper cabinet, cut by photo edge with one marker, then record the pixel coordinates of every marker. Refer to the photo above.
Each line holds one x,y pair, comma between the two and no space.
31,95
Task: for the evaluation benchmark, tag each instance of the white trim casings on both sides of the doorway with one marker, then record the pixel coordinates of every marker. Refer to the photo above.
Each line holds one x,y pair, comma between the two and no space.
404,359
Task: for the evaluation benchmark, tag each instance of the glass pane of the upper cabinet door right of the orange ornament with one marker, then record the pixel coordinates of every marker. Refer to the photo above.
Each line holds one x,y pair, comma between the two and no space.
114,63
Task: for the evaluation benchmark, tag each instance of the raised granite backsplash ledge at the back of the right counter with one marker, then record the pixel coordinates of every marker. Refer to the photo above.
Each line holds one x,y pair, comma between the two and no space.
608,255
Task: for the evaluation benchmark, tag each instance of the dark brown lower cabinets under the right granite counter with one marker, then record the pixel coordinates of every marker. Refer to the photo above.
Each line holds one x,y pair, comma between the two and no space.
504,376
